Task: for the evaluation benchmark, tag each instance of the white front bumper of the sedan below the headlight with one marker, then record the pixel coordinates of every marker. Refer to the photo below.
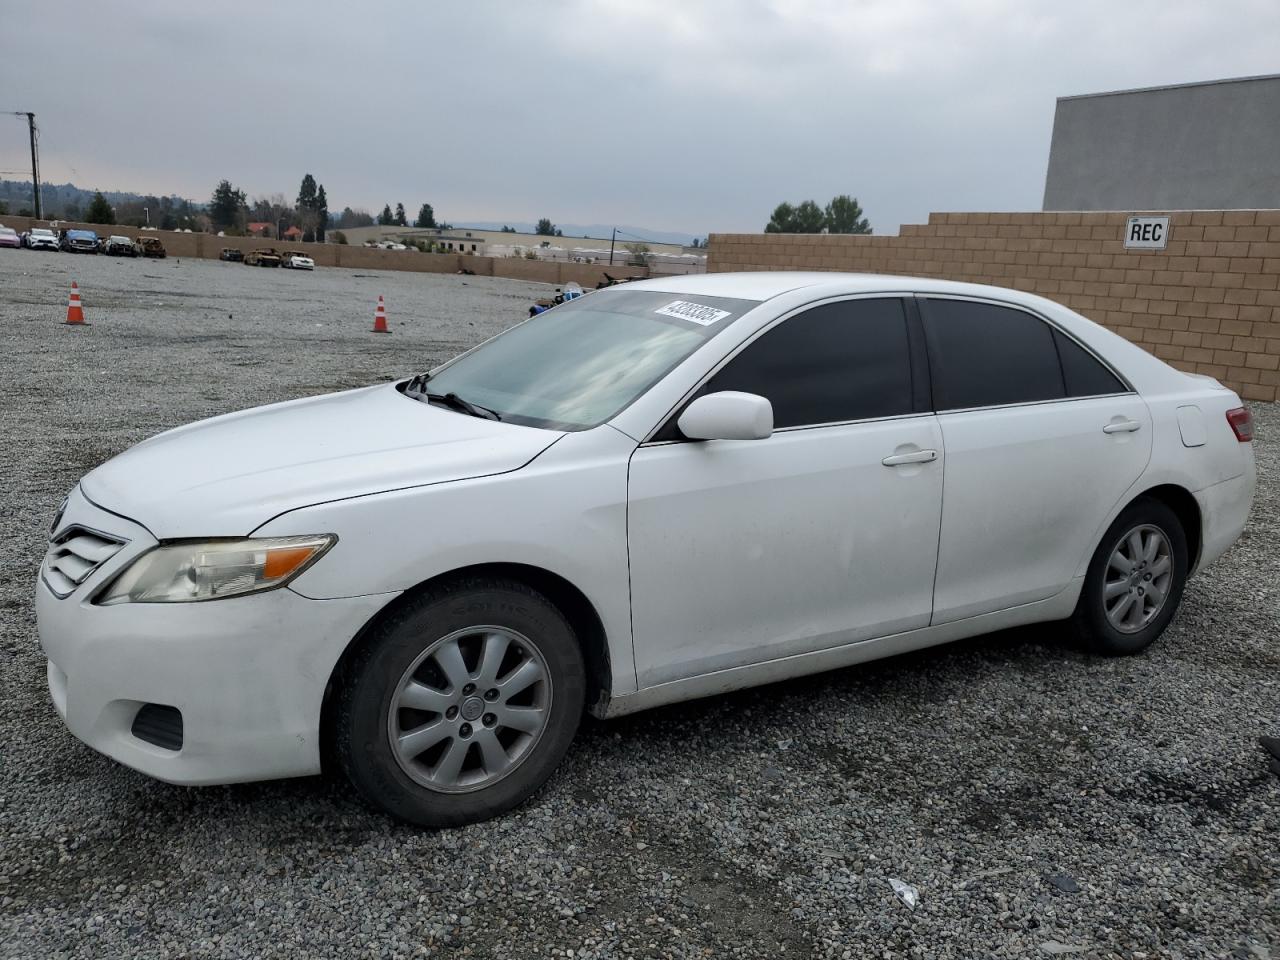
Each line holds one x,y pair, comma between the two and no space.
248,674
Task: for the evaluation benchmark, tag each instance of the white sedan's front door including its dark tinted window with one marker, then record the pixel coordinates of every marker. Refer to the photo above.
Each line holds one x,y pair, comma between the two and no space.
824,534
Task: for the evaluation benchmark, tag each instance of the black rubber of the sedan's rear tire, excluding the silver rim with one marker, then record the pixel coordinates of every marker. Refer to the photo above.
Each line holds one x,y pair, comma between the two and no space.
1091,614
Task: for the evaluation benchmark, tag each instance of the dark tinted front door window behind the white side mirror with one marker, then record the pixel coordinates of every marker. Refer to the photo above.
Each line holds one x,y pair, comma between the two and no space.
835,363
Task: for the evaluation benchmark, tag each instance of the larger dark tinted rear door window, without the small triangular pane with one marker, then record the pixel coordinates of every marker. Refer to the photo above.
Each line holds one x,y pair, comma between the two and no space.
982,356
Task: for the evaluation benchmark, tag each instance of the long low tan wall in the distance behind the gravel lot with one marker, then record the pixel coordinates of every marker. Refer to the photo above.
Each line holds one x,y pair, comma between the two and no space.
208,246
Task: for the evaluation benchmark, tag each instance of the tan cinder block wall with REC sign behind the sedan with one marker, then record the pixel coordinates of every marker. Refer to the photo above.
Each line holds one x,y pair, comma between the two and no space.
1209,303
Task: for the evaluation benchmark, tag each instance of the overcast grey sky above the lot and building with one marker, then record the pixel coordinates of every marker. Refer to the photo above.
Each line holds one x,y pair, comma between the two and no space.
684,116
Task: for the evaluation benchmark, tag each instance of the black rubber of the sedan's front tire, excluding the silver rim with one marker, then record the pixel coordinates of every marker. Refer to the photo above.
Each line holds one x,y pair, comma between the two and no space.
363,742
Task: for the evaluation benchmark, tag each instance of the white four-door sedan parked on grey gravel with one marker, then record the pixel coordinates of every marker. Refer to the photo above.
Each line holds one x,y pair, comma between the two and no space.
652,493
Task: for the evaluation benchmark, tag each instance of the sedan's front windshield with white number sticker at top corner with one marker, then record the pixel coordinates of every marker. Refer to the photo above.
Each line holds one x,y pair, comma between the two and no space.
582,363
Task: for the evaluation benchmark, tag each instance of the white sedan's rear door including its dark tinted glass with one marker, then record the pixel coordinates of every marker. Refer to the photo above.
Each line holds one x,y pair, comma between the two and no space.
1041,438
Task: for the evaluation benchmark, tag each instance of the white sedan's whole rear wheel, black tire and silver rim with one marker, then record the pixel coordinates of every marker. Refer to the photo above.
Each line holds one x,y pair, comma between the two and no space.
1128,623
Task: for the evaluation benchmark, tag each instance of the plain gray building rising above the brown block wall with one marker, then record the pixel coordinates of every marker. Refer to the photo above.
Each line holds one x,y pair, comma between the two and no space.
1194,147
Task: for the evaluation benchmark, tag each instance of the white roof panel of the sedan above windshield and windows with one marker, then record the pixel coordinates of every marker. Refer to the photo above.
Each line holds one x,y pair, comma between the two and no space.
769,285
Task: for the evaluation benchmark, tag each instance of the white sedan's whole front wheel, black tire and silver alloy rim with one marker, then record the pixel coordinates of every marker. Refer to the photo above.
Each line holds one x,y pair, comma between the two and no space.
446,703
